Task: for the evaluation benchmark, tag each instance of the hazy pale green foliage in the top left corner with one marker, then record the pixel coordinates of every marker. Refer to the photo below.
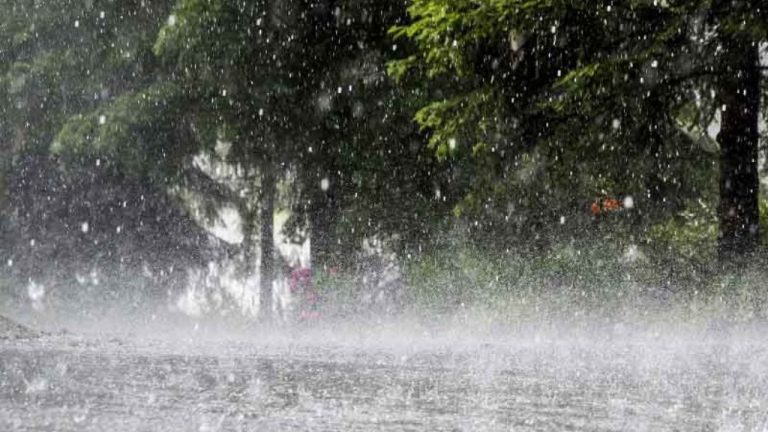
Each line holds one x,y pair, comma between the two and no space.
62,61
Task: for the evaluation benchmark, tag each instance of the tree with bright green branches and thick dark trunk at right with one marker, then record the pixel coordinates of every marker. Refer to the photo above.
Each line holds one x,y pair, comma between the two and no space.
630,77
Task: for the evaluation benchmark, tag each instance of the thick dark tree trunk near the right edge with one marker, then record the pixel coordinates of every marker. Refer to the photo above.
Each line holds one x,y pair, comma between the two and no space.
738,211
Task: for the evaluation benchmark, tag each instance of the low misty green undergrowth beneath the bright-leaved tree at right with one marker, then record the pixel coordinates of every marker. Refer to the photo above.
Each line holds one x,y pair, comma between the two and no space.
593,280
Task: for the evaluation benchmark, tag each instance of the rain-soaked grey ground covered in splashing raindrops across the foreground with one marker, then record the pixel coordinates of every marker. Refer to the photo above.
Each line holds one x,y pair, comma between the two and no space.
384,382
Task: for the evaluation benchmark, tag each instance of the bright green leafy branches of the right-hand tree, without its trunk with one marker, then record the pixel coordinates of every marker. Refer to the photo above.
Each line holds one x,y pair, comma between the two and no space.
616,98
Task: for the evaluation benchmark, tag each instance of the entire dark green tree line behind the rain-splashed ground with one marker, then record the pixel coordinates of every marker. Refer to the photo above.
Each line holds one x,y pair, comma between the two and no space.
519,123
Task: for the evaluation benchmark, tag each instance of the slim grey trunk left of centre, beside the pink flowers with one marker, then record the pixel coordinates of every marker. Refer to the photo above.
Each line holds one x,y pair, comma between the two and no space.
266,272
